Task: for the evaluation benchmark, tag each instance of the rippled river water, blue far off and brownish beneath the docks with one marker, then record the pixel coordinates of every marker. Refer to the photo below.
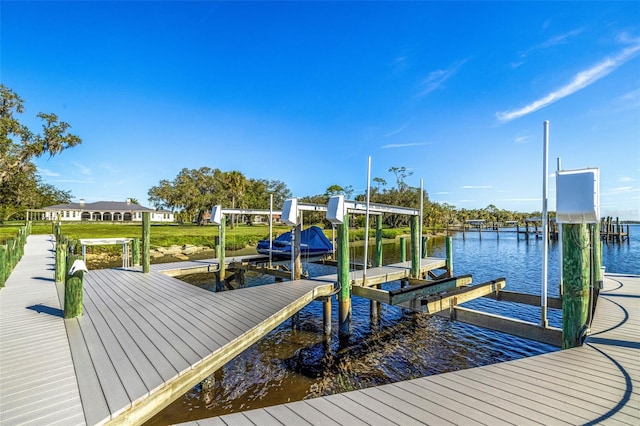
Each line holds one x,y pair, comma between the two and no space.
289,365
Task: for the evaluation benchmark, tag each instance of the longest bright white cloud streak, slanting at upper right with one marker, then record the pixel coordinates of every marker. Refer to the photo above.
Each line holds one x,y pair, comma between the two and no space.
580,81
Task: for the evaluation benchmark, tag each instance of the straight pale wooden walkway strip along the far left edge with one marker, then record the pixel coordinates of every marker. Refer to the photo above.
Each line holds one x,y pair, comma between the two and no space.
37,379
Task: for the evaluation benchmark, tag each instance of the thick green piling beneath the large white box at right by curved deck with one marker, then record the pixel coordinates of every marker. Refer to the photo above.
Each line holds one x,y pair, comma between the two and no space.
575,280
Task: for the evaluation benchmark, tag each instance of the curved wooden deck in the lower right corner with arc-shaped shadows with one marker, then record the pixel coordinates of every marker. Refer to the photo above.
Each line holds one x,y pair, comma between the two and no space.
593,384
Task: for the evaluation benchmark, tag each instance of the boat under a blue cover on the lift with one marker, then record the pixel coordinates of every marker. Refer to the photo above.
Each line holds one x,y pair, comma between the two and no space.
313,242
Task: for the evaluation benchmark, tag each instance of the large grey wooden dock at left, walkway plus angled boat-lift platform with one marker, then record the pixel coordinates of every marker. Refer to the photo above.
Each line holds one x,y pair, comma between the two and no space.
142,342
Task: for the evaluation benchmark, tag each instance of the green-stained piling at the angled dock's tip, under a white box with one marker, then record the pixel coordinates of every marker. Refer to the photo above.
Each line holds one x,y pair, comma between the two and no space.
344,297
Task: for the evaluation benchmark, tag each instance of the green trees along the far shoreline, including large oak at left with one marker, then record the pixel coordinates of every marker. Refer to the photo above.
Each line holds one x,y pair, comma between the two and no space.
194,192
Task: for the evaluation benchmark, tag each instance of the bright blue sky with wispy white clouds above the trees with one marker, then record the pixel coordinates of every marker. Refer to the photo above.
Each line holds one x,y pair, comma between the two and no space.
456,92
